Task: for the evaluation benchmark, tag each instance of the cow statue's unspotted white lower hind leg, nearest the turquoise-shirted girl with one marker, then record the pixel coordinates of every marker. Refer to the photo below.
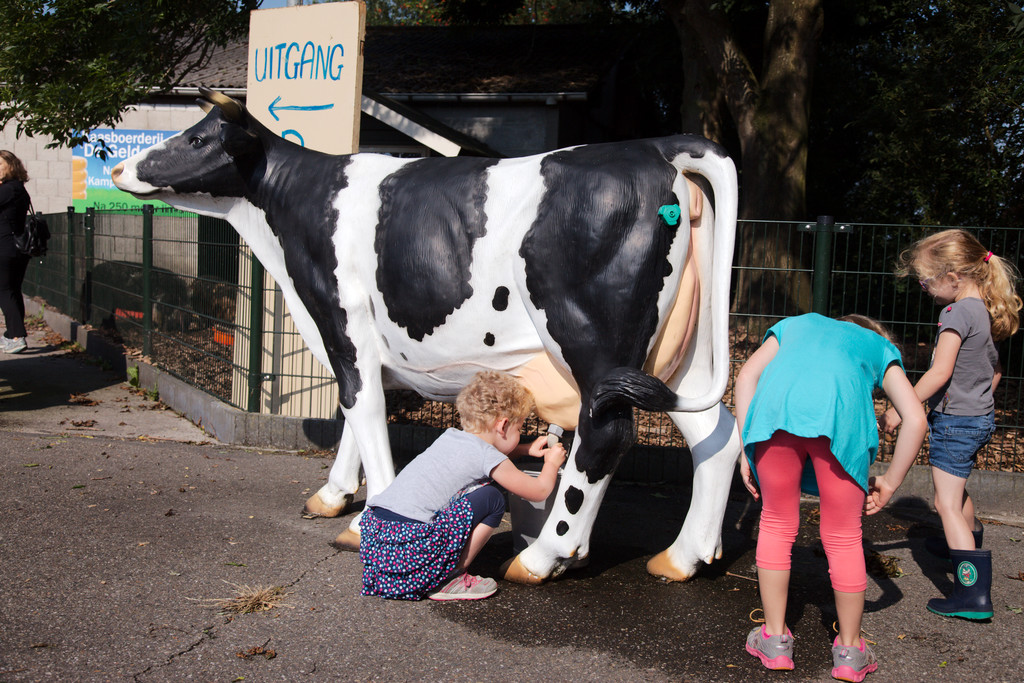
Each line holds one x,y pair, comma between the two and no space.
715,446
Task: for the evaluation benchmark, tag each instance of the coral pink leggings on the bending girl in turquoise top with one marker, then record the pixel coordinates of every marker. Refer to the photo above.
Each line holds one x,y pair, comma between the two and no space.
780,464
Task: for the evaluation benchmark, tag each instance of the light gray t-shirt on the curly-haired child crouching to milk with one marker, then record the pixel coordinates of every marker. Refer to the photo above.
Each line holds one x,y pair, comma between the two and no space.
456,462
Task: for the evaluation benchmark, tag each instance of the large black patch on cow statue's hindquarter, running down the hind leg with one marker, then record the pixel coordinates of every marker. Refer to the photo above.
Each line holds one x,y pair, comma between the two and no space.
600,287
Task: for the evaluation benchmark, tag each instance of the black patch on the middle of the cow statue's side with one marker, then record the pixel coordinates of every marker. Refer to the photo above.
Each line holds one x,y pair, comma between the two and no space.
432,215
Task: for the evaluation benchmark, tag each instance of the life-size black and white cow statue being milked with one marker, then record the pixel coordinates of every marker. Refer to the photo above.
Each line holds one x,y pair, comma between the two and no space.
567,270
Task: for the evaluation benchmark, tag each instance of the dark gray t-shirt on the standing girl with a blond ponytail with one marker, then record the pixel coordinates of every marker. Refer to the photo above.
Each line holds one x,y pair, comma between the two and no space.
970,390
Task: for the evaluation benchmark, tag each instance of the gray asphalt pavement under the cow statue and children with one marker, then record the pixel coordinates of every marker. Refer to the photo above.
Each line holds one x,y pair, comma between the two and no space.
122,525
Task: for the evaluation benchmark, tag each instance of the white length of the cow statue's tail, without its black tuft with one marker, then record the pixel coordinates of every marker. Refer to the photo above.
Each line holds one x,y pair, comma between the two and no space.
718,168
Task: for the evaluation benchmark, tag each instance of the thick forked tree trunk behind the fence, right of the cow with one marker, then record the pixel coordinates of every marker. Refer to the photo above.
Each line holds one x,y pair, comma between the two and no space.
772,117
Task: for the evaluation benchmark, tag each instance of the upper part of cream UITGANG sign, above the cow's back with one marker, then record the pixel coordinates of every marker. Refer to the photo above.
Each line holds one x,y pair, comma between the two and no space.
306,73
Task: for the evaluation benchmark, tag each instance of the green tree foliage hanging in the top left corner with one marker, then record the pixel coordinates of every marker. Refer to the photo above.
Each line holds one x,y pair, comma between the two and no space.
71,66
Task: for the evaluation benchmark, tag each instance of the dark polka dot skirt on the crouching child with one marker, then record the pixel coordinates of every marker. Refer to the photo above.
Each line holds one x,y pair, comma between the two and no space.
405,562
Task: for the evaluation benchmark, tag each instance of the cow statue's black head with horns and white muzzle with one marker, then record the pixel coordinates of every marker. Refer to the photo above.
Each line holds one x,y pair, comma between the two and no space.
218,157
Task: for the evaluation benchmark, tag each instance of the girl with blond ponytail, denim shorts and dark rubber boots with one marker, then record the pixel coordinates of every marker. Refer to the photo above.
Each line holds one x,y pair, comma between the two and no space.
977,292
